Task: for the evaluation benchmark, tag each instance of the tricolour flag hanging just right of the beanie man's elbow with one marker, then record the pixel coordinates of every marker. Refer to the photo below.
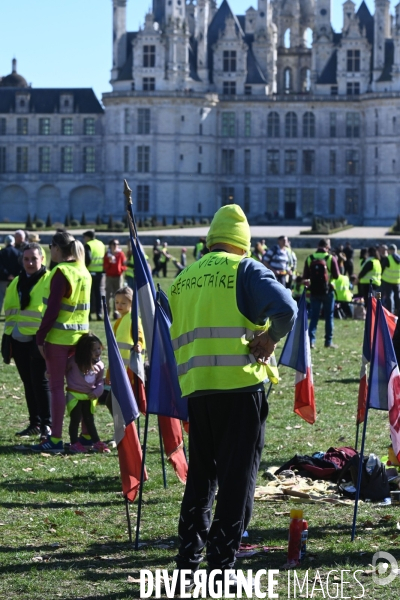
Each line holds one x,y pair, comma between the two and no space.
296,354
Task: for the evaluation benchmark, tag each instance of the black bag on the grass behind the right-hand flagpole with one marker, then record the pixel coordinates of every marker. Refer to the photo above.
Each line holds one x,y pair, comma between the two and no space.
374,485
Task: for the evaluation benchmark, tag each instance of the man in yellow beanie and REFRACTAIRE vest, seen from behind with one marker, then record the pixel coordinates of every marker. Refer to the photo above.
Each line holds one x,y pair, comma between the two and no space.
228,314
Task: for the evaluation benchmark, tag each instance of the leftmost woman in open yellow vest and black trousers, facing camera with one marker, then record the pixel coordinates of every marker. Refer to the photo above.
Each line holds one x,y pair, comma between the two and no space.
23,307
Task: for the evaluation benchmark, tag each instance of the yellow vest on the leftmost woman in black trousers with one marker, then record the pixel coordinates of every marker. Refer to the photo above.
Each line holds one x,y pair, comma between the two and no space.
29,319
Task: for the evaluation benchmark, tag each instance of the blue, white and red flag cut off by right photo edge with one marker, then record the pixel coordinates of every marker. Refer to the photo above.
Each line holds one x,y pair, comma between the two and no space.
384,381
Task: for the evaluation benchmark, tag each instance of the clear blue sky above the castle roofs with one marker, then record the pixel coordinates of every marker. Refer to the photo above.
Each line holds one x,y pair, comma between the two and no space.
67,43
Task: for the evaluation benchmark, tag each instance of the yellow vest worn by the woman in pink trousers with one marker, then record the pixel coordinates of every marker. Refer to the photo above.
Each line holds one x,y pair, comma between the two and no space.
73,318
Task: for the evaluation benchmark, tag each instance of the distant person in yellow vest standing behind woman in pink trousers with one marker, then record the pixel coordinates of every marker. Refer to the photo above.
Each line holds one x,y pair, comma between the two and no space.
97,251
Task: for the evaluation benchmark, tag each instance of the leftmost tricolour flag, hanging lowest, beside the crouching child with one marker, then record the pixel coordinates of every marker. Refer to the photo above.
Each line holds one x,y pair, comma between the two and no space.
125,411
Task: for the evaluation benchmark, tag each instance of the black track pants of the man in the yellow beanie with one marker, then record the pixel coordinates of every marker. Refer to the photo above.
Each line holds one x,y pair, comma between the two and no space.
225,443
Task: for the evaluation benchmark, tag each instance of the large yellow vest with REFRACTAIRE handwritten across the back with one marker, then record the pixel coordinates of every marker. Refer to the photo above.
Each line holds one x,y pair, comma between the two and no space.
209,334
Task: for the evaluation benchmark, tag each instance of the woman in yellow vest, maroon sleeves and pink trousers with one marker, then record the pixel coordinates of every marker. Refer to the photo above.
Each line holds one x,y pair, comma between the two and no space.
65,320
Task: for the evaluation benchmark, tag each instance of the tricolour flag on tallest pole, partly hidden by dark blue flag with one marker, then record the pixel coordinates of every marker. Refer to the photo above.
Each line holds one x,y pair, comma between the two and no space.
171,429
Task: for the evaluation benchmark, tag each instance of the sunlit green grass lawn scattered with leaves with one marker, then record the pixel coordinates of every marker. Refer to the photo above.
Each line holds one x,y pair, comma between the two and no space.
62,518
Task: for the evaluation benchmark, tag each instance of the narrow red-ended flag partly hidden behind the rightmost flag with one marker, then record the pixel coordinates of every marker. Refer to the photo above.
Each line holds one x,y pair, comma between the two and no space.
367,348
